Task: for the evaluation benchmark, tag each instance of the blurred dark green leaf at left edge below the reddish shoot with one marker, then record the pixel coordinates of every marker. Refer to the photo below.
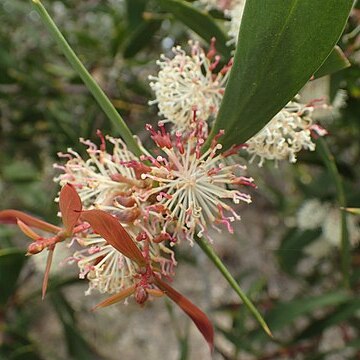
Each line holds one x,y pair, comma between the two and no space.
11,263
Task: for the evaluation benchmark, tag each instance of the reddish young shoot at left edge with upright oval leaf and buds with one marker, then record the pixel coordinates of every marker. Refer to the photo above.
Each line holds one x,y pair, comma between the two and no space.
70,209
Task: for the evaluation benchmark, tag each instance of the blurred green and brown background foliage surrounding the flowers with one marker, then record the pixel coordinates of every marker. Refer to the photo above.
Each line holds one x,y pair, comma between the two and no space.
45,108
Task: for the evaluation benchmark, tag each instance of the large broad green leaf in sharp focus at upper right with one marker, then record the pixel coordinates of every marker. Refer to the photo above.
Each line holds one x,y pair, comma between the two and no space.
281,46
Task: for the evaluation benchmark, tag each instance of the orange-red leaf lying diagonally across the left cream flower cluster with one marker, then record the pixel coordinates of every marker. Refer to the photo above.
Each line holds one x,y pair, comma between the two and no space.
112,231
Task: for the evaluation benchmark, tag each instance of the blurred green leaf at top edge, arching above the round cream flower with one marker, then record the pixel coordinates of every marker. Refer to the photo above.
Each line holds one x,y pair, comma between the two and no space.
201,23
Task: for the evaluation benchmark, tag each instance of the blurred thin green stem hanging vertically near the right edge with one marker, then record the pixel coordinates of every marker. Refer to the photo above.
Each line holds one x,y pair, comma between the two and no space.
330,164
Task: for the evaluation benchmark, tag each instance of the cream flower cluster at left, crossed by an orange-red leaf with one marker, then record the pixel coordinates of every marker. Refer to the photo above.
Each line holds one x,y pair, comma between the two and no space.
109,182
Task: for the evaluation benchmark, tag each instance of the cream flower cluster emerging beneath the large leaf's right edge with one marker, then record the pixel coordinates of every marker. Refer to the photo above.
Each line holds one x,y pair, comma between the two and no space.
285,135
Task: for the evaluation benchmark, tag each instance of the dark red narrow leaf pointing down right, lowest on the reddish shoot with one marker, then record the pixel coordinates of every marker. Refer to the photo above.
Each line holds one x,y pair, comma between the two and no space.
197,316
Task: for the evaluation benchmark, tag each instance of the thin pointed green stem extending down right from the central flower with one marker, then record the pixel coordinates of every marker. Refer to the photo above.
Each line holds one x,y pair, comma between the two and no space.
210,253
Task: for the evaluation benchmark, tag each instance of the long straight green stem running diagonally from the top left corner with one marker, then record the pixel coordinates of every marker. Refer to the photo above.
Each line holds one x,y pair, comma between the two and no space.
89,81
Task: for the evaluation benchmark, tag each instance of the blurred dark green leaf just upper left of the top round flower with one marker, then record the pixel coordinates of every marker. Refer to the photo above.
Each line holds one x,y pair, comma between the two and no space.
141,37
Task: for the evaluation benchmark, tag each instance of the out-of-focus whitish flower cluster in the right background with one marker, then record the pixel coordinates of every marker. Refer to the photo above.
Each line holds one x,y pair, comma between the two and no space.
313,214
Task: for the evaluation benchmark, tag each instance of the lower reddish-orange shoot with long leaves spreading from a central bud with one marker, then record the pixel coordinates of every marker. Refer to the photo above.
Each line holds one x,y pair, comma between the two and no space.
147,280
